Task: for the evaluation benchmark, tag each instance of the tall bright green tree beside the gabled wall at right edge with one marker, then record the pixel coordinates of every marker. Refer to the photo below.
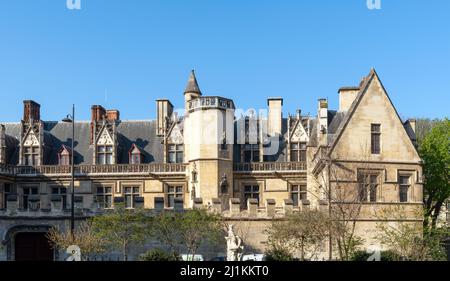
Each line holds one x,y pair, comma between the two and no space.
435,152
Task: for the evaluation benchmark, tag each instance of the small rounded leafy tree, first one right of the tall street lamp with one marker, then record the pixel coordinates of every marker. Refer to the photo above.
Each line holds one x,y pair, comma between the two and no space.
121,228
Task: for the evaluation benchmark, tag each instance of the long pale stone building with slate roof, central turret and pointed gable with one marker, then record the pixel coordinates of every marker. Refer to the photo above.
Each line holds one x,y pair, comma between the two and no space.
250,166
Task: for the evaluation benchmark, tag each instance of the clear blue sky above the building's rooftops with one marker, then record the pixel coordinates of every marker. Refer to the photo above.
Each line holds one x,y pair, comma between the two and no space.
136,51
